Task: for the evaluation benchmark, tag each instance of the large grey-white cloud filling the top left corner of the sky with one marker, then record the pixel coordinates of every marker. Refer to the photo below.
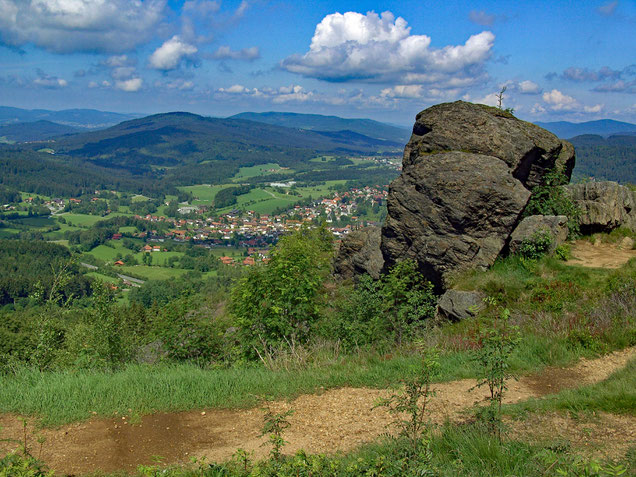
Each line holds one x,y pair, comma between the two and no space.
64,26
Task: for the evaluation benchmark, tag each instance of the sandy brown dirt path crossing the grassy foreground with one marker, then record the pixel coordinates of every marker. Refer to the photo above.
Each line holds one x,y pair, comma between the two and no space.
335,420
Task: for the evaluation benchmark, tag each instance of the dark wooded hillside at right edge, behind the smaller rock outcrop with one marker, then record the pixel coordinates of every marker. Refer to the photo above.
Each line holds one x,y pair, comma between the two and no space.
612,158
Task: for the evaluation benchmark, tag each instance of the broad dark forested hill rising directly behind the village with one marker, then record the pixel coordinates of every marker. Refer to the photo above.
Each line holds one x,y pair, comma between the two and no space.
173,138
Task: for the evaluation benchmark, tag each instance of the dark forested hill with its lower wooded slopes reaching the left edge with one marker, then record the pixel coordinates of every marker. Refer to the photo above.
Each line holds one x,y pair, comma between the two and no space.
156,154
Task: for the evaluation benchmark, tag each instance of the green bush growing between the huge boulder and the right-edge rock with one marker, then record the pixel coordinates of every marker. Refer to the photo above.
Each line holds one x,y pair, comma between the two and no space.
550,198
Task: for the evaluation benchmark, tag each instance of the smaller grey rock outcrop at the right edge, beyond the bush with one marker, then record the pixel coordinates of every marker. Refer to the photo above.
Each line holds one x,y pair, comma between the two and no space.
604,206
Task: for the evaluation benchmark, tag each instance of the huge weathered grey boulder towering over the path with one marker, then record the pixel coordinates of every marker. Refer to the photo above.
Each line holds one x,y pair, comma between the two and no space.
467,174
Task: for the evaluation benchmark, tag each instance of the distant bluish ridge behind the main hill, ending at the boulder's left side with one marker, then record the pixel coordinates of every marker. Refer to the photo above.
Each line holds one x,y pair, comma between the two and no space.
318,122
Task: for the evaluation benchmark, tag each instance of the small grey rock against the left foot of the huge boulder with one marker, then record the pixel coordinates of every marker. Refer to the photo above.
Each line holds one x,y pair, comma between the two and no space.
360,253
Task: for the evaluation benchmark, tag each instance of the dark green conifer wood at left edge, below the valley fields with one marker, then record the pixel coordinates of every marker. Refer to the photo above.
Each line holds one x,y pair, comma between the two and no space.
40,270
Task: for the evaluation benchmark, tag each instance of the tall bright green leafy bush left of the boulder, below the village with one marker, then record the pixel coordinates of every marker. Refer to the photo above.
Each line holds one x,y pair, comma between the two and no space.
280,301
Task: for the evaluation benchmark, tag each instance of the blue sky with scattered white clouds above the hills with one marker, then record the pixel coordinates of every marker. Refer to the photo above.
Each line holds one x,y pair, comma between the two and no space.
385,60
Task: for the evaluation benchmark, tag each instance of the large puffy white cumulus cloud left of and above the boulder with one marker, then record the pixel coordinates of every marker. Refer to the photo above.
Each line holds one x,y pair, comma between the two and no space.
380,48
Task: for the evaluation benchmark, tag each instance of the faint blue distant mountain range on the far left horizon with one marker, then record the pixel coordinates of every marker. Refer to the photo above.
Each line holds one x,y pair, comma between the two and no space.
80,118
